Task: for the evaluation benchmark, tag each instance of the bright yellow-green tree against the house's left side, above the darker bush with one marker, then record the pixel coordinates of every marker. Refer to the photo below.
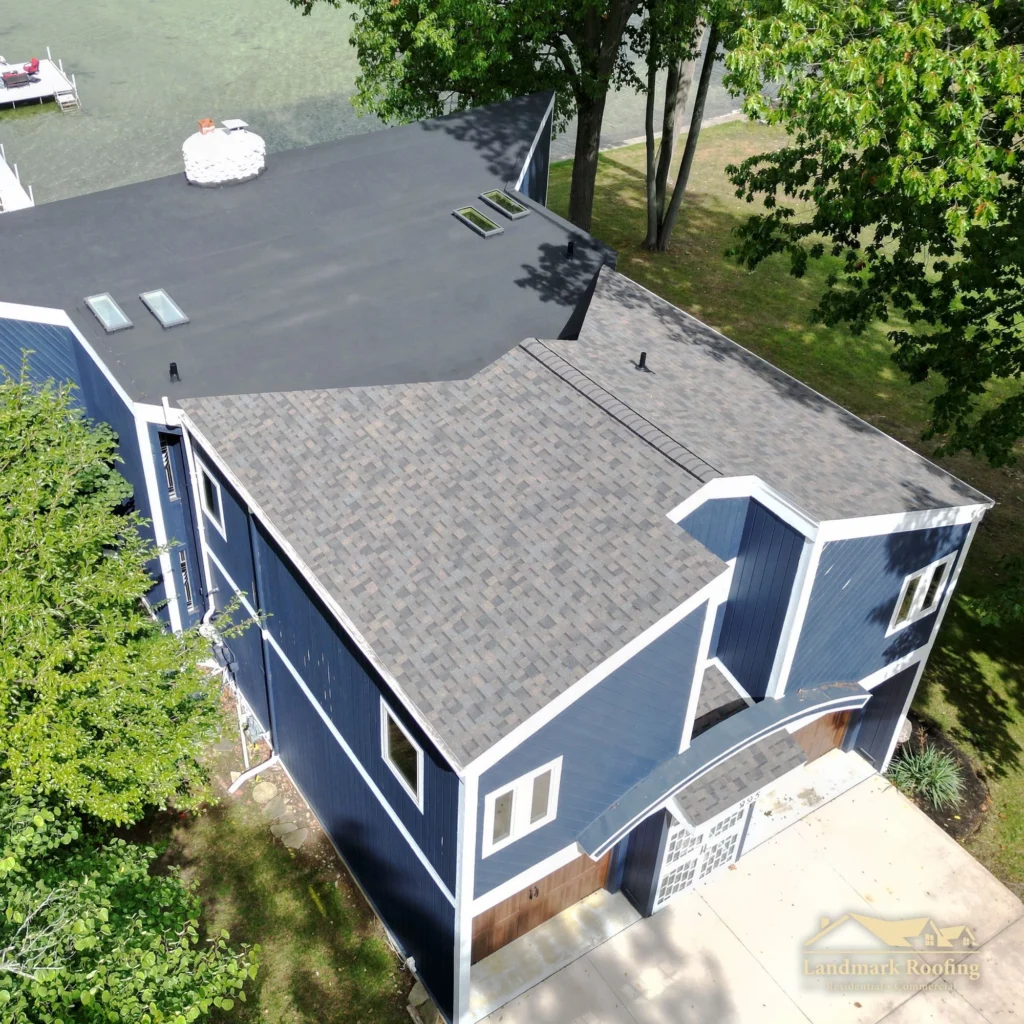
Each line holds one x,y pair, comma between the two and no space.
102,708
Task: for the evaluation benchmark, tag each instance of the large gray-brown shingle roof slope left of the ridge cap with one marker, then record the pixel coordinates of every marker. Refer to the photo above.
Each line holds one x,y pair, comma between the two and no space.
492,539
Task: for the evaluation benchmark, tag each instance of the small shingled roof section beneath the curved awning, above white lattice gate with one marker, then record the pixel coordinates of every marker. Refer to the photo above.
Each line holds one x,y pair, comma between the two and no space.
743,775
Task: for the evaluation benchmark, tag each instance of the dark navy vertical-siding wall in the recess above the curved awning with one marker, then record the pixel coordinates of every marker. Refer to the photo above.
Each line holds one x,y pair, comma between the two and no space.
762,583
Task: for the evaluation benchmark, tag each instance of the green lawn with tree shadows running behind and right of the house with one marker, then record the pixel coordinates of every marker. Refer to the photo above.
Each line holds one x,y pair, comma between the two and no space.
975,681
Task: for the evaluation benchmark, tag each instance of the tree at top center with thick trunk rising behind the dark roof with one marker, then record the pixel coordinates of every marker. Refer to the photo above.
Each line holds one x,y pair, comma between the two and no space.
421,59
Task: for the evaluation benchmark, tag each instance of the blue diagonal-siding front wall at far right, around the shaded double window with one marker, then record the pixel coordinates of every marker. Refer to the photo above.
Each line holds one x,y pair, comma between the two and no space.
857,588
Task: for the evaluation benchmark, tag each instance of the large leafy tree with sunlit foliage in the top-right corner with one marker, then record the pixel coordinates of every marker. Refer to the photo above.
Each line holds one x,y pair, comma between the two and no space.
906,135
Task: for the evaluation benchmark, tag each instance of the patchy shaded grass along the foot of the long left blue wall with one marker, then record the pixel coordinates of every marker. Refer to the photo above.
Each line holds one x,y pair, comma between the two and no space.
324,959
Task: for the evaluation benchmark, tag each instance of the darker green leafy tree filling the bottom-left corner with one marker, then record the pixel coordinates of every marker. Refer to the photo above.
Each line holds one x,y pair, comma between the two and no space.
90,934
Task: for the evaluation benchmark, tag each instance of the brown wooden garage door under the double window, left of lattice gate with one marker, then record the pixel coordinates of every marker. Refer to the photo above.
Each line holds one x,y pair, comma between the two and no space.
536,904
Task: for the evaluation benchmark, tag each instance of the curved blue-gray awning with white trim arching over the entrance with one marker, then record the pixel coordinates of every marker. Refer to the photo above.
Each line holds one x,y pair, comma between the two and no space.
709,751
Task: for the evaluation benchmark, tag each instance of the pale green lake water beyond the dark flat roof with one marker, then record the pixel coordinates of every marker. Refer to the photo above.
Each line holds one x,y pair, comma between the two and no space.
149,70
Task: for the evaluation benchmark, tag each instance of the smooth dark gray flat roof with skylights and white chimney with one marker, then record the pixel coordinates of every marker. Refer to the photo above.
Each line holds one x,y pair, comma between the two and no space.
342,266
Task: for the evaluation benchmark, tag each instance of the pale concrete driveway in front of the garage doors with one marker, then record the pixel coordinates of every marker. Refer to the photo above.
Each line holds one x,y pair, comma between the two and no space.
733,952
